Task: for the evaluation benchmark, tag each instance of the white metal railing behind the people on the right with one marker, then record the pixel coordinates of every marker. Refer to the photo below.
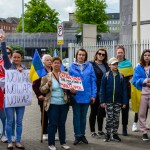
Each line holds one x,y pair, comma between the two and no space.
130,49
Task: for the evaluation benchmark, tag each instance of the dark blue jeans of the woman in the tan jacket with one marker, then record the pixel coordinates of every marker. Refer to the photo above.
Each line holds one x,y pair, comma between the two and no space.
57,115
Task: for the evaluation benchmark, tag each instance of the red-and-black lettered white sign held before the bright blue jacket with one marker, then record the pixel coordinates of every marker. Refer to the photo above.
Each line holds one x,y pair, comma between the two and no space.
67,82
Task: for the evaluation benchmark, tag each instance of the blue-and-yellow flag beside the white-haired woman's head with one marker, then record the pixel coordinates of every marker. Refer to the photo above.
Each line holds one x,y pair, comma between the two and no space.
37,69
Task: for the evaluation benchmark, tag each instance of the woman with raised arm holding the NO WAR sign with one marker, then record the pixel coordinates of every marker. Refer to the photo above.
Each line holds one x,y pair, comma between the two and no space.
15,64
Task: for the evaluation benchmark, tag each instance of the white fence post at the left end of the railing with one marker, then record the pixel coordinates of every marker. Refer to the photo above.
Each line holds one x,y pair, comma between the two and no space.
71,53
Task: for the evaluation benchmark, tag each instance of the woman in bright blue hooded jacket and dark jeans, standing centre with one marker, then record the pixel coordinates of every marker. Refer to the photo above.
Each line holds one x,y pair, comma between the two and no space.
83,69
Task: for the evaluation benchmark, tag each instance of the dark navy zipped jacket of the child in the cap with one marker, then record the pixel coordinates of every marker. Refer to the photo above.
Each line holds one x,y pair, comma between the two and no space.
113,90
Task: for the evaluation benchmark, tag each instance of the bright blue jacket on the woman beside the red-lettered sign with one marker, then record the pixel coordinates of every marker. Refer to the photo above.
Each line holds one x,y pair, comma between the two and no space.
88,78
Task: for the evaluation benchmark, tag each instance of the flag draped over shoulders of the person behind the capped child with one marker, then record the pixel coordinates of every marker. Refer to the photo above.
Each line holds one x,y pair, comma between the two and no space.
125,67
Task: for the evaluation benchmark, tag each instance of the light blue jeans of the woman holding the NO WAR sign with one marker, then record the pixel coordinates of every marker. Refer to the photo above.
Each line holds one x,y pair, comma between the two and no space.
9,123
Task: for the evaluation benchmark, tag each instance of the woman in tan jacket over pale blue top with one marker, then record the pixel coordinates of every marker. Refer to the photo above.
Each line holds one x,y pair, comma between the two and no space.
55,105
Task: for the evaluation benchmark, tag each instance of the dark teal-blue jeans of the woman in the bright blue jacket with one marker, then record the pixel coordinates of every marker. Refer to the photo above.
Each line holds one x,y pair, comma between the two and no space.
79,118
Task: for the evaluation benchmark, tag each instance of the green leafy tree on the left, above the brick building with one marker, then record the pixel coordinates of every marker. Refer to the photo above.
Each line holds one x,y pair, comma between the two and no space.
39,17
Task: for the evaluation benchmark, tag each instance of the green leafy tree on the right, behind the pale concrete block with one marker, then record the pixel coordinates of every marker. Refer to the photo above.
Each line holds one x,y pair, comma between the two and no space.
92,12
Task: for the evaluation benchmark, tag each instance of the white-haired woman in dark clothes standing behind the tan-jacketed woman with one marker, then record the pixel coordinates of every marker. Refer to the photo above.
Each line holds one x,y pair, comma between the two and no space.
46,59
